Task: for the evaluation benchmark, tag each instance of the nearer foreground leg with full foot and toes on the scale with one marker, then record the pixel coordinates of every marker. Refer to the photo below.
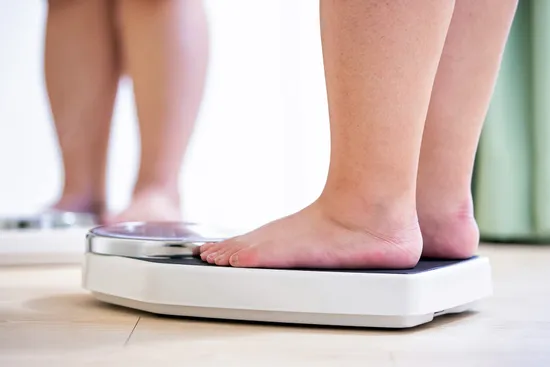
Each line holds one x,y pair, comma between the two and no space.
381,59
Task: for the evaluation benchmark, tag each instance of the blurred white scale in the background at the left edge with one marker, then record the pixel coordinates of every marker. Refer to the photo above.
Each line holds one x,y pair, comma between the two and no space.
51,237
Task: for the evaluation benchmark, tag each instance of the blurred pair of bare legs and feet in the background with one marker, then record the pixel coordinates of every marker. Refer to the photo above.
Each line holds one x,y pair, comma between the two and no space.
162,45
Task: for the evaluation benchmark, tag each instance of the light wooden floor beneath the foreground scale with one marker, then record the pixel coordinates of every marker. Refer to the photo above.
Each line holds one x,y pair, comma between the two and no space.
46,319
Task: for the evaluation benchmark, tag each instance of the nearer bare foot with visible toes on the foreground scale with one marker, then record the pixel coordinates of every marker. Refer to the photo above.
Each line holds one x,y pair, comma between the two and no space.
316,238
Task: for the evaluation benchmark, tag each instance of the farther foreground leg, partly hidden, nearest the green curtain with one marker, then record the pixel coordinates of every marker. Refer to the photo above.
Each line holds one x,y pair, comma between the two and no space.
462,92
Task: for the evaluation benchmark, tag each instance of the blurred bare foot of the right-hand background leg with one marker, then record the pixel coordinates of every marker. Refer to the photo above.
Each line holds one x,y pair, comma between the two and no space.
150,206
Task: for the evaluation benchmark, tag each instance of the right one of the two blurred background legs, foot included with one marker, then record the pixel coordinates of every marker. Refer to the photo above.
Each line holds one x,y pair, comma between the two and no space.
165,50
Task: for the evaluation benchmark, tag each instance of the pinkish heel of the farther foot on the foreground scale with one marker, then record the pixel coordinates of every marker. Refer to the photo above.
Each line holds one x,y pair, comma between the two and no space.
449,236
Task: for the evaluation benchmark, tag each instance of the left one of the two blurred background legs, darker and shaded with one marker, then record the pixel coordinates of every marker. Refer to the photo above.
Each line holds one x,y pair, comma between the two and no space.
82,72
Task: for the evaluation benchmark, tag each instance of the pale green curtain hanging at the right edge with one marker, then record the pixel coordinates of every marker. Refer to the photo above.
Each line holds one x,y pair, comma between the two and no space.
511,183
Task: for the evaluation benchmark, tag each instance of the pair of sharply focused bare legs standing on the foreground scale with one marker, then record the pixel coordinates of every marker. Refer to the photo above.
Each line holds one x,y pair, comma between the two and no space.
408,83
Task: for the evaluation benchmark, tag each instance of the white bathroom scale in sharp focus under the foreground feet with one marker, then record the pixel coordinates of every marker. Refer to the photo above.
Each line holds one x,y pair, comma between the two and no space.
151,267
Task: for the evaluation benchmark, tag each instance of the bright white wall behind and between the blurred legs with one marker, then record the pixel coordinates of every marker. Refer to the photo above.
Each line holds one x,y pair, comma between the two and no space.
261,146
